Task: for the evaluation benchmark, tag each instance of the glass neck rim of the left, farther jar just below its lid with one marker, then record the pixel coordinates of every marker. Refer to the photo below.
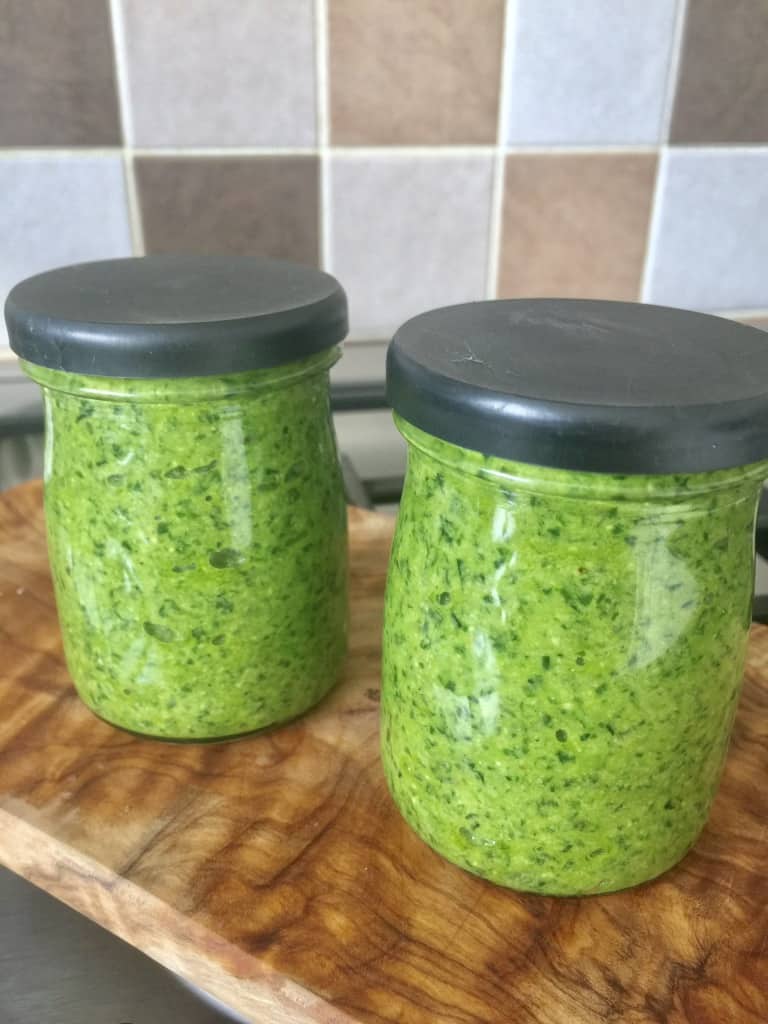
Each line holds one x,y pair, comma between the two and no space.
183,390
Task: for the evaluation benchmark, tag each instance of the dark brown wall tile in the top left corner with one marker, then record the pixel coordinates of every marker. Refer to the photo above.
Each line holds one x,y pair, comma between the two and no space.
57,74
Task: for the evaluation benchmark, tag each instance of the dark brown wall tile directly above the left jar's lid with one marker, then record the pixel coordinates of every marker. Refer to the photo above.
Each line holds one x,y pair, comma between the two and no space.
245,205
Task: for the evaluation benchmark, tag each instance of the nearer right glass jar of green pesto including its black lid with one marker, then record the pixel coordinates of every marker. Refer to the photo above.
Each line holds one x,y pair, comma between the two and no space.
570,589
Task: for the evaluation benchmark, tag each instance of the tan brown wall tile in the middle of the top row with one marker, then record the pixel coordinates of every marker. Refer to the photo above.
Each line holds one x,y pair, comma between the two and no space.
414,71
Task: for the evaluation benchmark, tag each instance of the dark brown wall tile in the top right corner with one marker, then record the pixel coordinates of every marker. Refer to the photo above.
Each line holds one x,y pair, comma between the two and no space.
722,94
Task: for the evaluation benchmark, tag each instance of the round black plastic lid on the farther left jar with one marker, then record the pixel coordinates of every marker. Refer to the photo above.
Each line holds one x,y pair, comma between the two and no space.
175,316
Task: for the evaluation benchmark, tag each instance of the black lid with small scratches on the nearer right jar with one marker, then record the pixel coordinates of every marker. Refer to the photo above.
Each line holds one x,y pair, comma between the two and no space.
614,388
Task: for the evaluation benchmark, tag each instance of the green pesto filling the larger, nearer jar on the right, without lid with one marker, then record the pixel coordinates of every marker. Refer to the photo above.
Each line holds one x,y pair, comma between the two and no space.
563,662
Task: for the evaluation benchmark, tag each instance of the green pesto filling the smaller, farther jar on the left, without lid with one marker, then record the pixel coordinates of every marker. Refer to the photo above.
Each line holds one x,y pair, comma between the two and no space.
197,533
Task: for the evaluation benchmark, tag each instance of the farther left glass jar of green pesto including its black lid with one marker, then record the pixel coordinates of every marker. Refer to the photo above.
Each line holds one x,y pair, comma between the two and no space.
194,501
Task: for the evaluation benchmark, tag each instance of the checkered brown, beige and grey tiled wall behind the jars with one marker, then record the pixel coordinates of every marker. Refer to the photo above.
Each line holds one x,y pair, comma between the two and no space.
425,151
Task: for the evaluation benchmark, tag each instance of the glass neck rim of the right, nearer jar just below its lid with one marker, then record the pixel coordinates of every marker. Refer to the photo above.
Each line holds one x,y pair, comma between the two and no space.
645,489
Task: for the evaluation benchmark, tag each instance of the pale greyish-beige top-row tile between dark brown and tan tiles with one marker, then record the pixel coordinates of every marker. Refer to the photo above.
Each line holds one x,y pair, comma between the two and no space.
224,73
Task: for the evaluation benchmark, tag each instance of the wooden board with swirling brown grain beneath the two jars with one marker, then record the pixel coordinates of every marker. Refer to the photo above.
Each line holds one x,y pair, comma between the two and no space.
277,874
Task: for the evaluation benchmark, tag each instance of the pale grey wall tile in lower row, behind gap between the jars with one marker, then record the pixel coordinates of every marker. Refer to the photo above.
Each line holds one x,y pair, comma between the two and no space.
408,233
